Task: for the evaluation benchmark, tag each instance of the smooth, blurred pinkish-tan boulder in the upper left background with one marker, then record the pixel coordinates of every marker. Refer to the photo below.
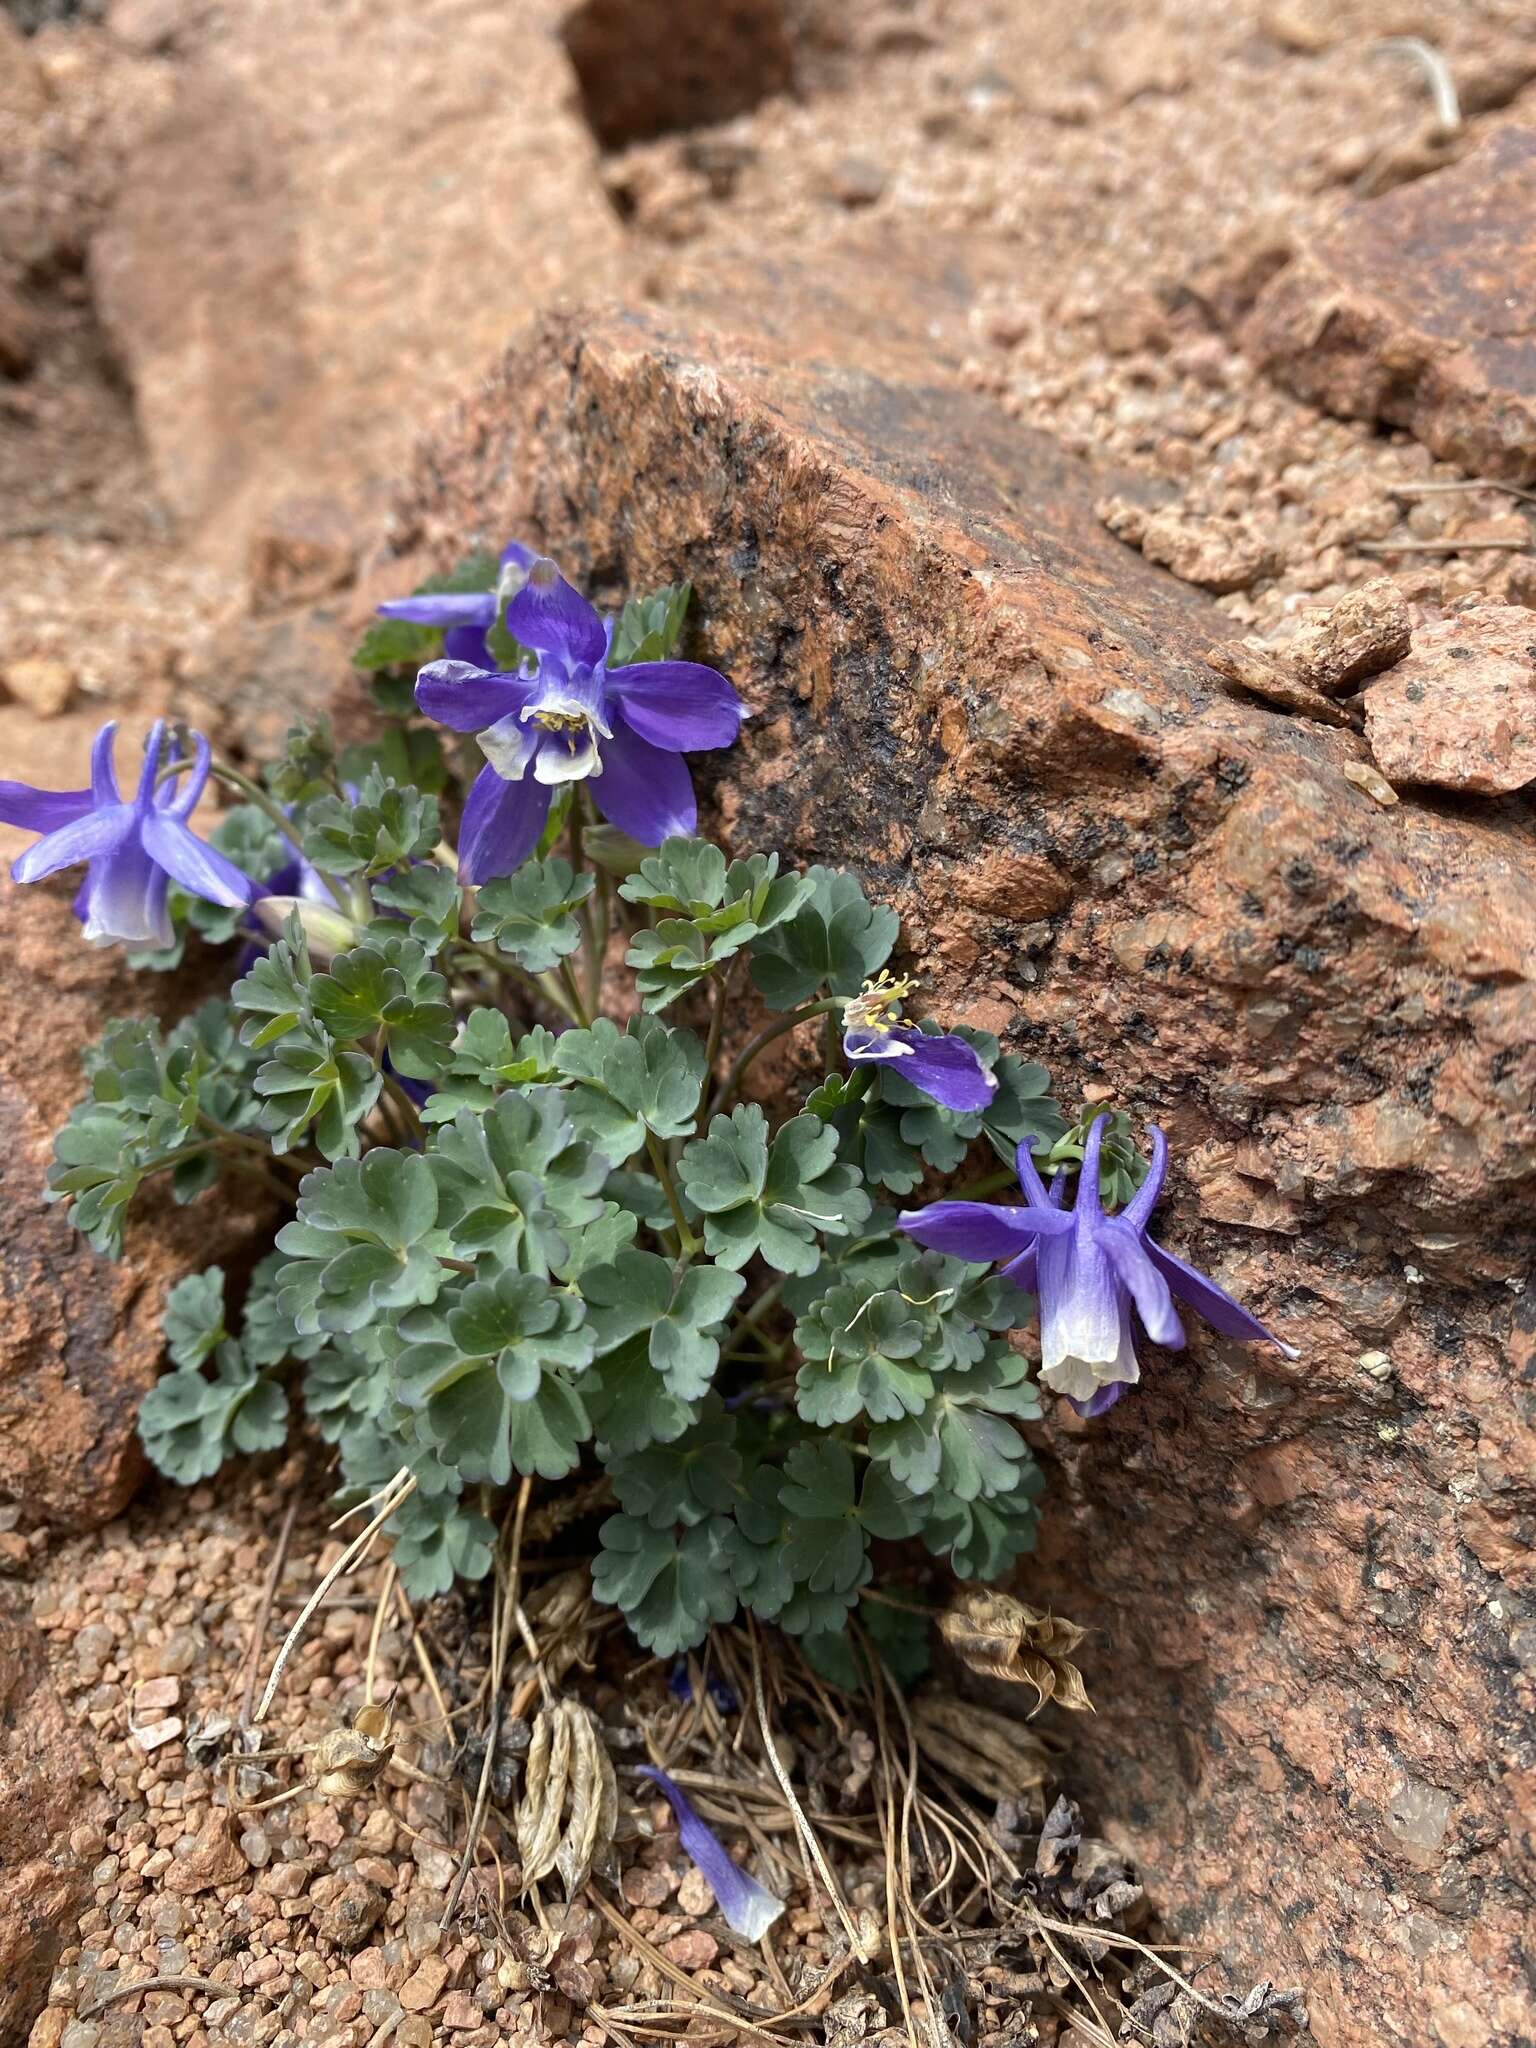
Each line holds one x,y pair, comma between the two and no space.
292,292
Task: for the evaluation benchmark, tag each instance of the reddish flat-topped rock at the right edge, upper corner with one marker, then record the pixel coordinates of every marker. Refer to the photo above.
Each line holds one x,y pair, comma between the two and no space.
1414,310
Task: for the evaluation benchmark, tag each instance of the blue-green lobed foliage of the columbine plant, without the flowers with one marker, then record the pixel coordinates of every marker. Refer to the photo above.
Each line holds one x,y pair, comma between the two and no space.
521,1250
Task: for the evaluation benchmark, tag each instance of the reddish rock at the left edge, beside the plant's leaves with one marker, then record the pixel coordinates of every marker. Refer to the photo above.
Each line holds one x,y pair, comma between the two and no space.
79,1334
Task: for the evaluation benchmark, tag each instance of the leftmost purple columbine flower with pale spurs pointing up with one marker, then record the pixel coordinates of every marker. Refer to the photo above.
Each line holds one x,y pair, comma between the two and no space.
132,851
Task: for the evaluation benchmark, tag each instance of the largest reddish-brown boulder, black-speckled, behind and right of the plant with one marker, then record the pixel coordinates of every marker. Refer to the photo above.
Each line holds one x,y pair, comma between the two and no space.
1312,1584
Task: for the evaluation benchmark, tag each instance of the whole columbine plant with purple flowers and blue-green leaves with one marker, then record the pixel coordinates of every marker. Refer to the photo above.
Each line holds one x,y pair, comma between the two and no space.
536,1218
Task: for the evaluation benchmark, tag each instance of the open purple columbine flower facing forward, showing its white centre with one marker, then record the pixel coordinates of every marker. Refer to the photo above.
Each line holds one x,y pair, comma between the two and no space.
570,720
